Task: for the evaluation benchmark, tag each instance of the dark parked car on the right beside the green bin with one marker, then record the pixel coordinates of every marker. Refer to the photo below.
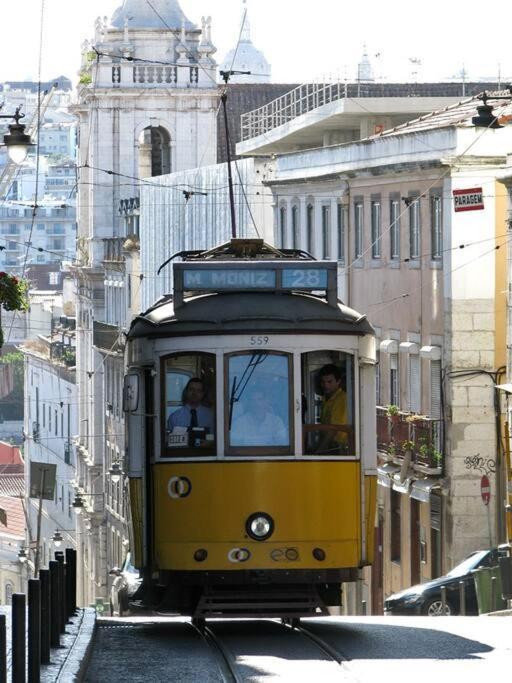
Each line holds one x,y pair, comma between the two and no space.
425,598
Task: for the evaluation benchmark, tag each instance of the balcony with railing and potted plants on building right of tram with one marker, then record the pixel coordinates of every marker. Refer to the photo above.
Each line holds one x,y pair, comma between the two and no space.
405,433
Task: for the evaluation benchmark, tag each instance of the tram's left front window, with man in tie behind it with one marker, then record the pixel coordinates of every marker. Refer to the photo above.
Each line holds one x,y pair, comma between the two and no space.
189,405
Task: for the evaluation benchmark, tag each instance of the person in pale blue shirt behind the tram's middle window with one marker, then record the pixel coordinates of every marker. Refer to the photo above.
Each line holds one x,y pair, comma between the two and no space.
259,425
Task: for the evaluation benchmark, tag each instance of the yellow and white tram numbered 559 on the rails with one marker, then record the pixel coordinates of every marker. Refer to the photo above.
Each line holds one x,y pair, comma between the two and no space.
250,409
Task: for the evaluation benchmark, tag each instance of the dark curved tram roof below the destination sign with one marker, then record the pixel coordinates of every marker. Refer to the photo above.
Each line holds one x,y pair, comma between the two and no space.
248,312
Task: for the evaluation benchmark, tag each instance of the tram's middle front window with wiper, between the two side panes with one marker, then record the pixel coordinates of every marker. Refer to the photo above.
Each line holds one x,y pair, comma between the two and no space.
258,404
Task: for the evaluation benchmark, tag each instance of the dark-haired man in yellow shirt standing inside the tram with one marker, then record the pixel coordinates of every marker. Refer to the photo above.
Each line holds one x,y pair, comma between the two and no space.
333,410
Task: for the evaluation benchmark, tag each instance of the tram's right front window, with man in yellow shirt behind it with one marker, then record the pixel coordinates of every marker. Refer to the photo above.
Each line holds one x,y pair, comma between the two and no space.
328,403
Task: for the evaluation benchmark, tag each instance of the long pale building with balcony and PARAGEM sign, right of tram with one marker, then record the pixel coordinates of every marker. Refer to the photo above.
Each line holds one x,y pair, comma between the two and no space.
416,220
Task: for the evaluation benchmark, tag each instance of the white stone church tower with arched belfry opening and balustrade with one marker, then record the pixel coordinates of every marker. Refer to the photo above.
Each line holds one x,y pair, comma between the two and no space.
147,106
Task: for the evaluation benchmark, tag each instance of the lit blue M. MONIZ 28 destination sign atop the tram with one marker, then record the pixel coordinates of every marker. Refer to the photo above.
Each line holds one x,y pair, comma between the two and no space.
198,279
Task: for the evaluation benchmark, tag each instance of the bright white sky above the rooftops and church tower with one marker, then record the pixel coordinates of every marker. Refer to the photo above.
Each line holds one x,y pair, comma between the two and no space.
303,41
